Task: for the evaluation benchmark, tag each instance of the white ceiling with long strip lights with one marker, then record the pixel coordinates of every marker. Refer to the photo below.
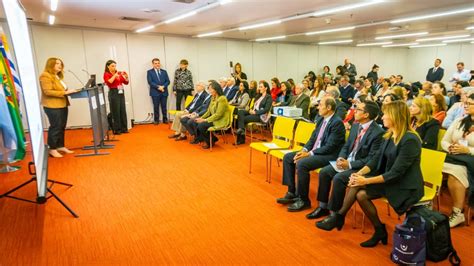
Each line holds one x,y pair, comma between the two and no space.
227,18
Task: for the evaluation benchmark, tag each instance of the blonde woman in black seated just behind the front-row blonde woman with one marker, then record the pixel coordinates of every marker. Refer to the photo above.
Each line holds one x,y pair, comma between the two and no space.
423,122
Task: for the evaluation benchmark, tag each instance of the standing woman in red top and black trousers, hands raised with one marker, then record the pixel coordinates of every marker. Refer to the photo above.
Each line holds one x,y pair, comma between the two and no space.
115,81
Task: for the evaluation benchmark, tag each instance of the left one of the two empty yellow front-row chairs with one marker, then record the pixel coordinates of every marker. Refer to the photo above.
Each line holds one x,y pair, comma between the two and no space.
282,137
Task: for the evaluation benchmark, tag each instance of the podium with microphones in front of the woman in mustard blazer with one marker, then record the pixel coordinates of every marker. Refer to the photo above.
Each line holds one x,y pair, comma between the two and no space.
98,112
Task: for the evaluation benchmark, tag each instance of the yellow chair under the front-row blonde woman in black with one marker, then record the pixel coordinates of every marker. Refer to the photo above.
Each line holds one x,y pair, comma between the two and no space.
431,164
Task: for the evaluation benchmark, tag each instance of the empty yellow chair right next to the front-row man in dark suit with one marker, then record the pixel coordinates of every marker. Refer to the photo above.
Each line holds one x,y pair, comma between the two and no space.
302,134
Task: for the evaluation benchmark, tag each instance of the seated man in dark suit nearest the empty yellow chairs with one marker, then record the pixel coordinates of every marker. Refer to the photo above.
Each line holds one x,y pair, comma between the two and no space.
323,146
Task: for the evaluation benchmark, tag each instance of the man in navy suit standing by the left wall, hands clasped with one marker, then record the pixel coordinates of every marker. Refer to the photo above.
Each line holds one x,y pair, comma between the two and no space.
158,81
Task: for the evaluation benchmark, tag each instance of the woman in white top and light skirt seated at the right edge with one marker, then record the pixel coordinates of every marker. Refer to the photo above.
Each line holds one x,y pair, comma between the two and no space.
459,164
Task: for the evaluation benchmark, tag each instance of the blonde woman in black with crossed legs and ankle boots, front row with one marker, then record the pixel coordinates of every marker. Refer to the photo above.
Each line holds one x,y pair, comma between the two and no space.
394,173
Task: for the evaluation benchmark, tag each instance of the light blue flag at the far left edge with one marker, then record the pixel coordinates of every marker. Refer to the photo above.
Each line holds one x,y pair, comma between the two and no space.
8,140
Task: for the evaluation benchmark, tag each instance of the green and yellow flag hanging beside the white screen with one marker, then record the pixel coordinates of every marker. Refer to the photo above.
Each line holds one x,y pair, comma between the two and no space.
8,87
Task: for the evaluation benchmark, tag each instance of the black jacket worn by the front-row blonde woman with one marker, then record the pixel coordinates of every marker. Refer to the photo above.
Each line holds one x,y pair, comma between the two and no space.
403,178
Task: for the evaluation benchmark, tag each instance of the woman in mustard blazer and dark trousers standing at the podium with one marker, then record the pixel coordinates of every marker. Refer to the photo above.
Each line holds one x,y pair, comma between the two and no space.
55,104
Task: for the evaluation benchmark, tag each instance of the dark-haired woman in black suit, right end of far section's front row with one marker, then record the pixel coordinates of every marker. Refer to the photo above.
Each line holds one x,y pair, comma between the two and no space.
259,113
